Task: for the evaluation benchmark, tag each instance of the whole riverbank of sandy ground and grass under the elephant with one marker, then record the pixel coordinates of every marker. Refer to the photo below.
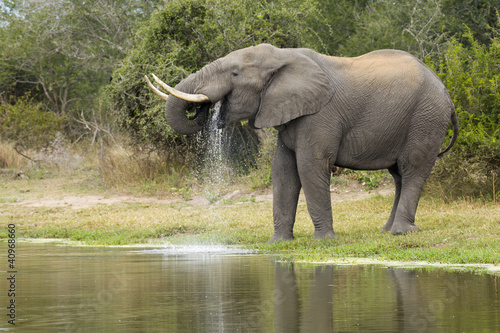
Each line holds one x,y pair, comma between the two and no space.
64,207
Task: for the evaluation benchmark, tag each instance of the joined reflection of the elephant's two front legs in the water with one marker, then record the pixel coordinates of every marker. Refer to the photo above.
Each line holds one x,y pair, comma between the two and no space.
316,314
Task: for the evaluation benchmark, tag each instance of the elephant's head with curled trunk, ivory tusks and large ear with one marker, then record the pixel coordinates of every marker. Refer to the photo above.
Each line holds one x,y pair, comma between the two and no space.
263,84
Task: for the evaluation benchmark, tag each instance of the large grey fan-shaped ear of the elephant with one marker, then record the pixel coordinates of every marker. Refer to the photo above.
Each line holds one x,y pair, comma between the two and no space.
297,88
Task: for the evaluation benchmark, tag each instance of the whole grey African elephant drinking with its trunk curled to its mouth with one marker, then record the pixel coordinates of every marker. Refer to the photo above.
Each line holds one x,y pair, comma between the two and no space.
382,110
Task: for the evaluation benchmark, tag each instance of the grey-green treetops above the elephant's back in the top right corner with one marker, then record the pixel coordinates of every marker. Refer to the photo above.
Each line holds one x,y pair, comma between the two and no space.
421,27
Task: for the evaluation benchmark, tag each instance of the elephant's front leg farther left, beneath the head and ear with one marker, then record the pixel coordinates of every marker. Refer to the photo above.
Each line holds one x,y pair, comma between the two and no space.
286,189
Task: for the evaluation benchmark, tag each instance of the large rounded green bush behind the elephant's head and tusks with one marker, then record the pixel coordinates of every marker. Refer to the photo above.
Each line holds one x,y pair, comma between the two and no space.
183,37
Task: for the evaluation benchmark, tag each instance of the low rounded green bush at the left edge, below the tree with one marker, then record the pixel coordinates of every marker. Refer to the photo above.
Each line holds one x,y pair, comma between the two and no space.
27,124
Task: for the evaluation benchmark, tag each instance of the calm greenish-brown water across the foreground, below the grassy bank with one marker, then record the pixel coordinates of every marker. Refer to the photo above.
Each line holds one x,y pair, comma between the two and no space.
225,289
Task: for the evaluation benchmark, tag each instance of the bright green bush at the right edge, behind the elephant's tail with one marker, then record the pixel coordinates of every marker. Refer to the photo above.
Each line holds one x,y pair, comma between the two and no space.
472,76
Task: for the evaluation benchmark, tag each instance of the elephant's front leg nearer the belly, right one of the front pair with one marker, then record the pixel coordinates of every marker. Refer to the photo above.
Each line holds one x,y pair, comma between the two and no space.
315,179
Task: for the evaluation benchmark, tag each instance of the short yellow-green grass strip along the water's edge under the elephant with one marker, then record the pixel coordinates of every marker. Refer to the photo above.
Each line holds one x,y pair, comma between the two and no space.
455,232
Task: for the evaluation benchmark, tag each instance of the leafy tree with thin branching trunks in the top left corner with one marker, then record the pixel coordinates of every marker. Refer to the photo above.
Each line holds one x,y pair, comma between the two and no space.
63,51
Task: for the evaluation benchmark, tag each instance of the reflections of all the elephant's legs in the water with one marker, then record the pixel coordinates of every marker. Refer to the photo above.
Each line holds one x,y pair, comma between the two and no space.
314,312
